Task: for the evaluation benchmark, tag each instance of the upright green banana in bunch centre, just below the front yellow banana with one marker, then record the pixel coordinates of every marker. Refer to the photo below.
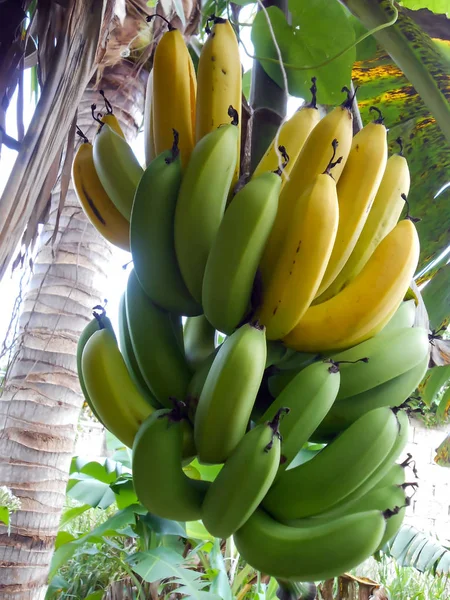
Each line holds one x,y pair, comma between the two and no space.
229,392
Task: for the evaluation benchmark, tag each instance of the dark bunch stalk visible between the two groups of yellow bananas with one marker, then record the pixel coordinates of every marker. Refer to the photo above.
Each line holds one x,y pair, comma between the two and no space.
268,103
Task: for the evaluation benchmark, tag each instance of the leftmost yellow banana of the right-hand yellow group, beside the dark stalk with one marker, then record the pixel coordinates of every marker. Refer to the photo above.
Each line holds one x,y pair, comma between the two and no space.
293,135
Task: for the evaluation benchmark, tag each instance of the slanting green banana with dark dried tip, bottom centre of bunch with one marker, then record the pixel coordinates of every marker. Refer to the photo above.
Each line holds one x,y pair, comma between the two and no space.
244,480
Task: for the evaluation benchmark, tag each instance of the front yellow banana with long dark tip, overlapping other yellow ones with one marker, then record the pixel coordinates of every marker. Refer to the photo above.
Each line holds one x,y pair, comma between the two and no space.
290,288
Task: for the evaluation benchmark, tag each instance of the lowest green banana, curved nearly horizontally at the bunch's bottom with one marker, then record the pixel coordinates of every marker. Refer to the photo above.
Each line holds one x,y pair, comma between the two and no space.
309,553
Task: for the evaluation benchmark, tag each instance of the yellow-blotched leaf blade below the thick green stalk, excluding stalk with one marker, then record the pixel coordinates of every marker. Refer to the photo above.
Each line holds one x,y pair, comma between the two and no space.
383,85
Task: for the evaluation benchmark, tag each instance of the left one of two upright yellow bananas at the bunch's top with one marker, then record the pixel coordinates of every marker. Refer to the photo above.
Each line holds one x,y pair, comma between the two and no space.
174,91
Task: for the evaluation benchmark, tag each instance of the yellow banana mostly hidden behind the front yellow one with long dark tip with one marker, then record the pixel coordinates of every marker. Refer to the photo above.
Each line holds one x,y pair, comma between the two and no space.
312,160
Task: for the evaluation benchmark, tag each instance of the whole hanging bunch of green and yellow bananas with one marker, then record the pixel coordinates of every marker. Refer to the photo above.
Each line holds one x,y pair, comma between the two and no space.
303,272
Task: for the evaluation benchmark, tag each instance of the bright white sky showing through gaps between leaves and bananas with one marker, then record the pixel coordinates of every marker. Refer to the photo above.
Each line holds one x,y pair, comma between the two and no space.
117,276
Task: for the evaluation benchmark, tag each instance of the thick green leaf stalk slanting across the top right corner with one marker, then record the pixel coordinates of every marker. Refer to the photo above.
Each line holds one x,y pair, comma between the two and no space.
420,66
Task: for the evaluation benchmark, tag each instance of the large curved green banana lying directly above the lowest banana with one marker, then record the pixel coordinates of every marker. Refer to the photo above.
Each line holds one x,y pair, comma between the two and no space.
336,471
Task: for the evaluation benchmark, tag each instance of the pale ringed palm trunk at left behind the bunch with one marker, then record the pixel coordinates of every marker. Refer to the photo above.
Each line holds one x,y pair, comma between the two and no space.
41,401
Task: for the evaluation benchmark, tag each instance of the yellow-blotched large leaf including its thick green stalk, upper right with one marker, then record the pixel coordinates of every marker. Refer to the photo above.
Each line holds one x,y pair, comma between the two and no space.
415,66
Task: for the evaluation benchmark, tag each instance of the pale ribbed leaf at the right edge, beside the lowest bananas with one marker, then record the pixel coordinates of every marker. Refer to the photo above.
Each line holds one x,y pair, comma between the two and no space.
413,548
